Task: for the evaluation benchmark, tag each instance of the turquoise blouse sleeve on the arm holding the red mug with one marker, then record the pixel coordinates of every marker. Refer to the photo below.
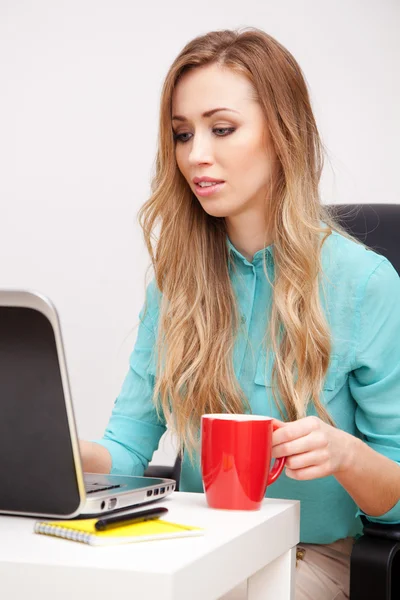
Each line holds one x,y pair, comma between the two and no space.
375,379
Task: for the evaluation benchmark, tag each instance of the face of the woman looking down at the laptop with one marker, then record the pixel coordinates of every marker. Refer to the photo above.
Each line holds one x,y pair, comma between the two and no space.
229,146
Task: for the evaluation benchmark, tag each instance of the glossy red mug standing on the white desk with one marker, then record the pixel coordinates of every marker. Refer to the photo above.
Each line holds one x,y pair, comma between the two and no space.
235,460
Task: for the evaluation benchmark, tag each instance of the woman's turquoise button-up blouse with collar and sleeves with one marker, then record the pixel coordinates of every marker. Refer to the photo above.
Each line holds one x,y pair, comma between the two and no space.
361,294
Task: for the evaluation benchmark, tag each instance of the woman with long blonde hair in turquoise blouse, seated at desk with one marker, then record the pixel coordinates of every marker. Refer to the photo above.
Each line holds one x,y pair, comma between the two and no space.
260,303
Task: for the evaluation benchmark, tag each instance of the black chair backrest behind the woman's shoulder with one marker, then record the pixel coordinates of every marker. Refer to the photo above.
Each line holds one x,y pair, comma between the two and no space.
376,225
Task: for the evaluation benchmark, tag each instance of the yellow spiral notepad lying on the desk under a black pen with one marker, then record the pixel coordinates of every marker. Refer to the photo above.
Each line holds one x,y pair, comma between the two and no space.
85,532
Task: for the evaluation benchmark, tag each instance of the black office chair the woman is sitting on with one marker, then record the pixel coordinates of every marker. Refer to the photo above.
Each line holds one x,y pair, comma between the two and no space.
375,559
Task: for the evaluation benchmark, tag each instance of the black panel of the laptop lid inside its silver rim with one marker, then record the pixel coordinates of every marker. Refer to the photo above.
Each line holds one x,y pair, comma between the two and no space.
37,472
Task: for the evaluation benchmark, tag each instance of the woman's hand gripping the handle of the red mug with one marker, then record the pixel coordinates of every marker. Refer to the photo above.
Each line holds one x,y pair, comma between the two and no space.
313,448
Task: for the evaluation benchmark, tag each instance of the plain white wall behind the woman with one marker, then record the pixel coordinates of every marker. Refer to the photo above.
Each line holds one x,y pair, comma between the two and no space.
79,91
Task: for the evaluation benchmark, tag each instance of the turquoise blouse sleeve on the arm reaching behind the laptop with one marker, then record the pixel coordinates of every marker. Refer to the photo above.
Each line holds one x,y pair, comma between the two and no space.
134,428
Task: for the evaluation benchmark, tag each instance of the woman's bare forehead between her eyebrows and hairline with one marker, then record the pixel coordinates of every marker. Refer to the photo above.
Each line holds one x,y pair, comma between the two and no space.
205,88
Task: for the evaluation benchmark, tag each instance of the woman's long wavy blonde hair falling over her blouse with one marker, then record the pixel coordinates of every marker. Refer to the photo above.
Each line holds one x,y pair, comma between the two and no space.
198,320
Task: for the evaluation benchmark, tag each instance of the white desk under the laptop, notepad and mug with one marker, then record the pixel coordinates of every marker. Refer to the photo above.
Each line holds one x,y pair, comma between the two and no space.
255,546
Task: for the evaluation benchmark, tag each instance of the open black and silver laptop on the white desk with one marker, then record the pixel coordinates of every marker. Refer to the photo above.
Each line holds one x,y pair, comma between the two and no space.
40,464
